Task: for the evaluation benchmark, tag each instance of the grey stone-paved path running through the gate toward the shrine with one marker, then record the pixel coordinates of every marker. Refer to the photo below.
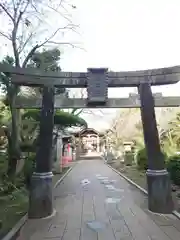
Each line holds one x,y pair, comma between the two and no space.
128,219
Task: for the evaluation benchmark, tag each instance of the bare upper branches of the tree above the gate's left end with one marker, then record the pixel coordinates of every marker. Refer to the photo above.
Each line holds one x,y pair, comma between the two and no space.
20,7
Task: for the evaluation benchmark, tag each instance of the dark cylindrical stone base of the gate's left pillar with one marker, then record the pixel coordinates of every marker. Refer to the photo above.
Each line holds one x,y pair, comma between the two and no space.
40,199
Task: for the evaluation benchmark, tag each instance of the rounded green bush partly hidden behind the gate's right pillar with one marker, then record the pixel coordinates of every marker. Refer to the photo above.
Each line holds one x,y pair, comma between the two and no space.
142,161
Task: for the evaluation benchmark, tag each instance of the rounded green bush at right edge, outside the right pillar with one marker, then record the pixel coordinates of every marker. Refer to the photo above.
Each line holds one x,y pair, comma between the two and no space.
173,167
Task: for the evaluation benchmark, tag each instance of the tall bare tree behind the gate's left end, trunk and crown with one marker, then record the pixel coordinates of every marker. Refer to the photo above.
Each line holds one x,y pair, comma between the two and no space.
30,26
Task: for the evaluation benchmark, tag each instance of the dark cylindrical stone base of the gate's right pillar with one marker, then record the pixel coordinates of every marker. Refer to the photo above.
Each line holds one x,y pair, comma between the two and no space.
159,191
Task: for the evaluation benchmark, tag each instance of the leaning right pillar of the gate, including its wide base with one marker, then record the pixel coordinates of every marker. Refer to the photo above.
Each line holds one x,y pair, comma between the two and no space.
159,190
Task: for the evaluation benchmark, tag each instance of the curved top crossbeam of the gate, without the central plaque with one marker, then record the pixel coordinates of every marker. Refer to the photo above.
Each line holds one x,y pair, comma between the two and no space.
36,77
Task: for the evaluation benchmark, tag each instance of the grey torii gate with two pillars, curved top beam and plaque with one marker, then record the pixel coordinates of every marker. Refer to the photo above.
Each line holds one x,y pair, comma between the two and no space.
97,81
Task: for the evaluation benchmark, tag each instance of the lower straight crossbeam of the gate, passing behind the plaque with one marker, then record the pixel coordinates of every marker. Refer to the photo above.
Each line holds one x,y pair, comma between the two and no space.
65,103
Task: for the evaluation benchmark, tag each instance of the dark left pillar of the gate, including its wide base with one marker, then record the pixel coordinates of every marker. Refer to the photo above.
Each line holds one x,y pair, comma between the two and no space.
40,202
